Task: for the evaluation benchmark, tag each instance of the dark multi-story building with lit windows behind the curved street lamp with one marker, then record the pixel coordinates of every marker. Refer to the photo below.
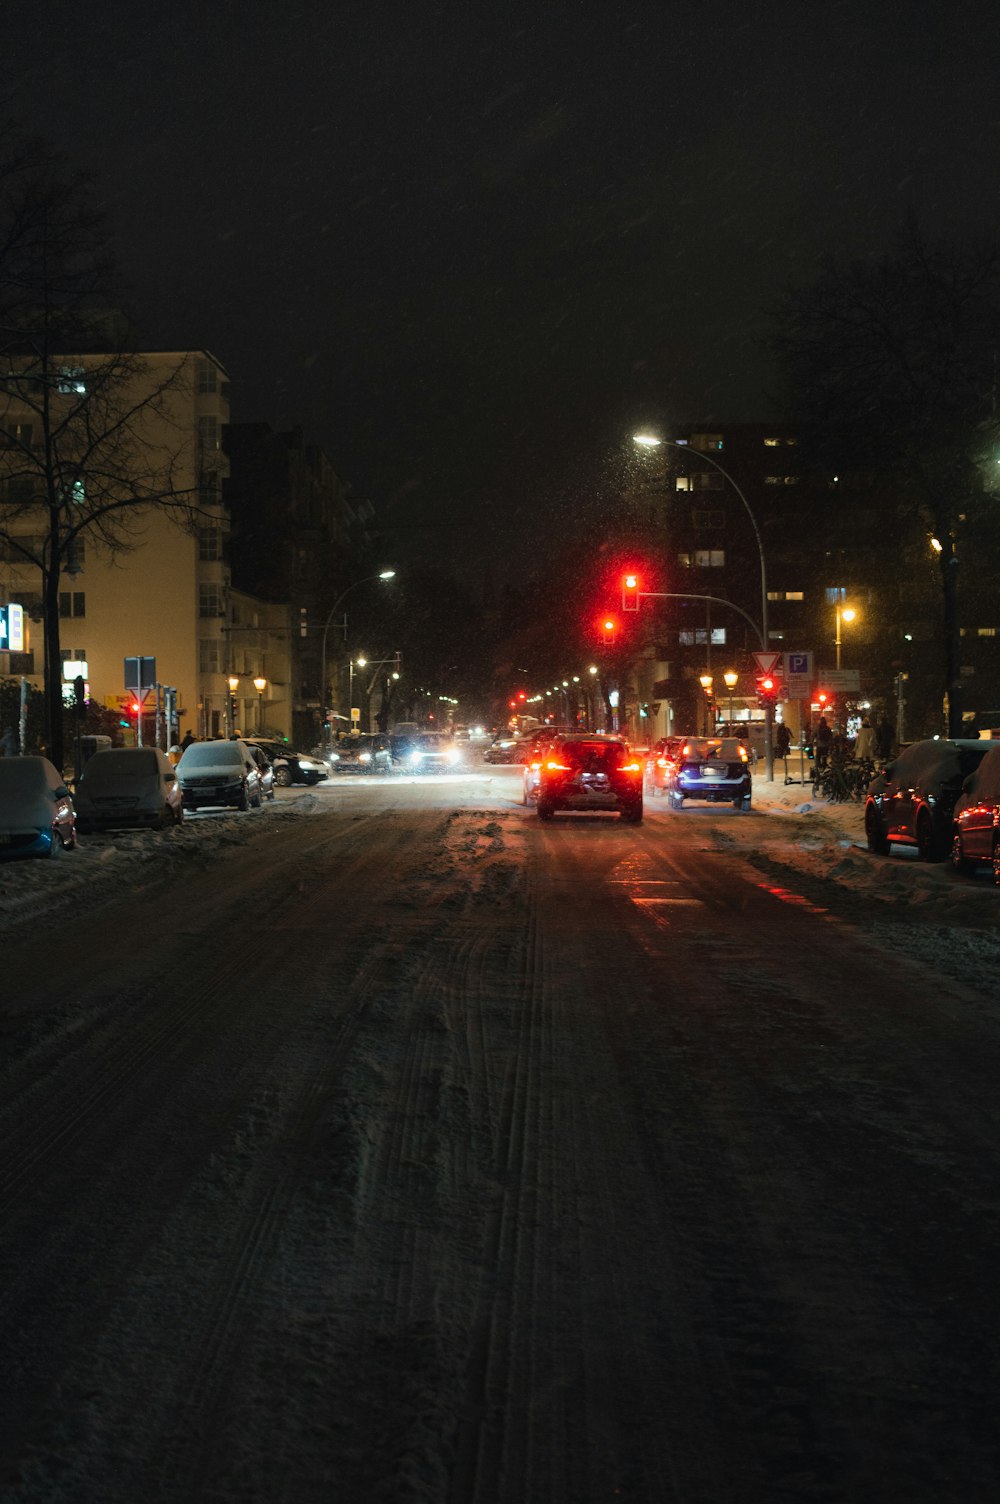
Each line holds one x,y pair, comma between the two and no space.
846,565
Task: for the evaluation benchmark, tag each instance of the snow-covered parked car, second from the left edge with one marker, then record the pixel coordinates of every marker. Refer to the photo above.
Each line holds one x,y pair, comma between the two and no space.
126,789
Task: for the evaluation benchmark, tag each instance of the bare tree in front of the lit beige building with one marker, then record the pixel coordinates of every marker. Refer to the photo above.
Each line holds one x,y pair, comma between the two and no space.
80,453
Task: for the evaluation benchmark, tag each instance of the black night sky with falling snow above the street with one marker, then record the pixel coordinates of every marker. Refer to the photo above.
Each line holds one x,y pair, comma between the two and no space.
470,249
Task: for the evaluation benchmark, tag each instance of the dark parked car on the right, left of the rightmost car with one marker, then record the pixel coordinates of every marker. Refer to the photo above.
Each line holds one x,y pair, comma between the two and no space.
912,801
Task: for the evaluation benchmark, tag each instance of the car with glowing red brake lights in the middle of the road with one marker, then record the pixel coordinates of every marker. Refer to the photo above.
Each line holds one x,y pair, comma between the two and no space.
583,772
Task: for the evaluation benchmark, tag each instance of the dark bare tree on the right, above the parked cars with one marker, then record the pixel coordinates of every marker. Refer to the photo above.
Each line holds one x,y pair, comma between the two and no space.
894,365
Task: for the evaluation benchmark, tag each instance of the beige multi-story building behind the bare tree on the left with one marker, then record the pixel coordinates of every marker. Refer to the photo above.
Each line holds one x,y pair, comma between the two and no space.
153,580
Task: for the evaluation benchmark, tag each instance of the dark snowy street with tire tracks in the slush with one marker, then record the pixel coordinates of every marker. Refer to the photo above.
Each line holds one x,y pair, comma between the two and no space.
393,1145
